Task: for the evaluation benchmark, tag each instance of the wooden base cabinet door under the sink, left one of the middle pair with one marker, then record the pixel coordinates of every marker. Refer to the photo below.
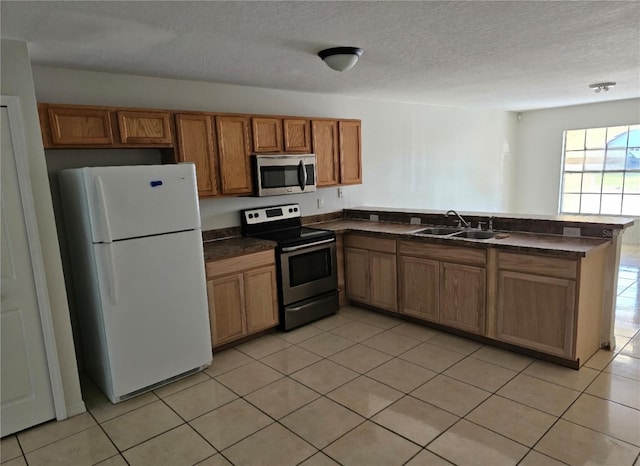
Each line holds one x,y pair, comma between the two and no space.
420,288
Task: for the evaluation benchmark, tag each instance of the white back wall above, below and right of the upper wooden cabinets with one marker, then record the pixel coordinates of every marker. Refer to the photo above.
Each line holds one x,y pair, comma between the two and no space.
418,156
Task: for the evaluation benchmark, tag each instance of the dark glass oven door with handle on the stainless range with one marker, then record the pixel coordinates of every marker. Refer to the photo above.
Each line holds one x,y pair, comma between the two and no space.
308,270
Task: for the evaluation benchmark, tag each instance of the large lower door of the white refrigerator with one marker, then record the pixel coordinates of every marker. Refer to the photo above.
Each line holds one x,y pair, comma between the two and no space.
154,305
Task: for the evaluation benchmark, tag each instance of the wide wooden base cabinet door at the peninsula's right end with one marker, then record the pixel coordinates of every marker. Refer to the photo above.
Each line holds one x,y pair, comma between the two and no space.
536,312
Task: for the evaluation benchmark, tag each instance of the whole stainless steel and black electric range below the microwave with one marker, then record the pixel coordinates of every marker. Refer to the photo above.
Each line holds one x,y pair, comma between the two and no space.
306,262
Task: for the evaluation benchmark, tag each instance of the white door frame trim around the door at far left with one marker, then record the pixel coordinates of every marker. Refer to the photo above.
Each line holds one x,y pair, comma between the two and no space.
20,155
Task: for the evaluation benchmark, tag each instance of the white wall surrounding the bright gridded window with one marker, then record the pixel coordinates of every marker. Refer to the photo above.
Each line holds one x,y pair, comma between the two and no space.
539,151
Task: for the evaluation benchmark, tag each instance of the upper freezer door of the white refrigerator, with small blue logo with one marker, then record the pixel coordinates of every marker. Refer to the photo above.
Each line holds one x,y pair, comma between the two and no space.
133,201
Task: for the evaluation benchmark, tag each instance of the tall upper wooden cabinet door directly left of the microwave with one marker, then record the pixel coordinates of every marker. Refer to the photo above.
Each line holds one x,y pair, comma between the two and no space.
233,154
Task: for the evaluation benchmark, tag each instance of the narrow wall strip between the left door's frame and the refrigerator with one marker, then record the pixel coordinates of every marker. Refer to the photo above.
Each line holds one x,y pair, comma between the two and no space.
16,80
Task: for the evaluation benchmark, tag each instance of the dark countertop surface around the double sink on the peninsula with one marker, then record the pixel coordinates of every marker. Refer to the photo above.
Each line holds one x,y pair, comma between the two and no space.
514,241
